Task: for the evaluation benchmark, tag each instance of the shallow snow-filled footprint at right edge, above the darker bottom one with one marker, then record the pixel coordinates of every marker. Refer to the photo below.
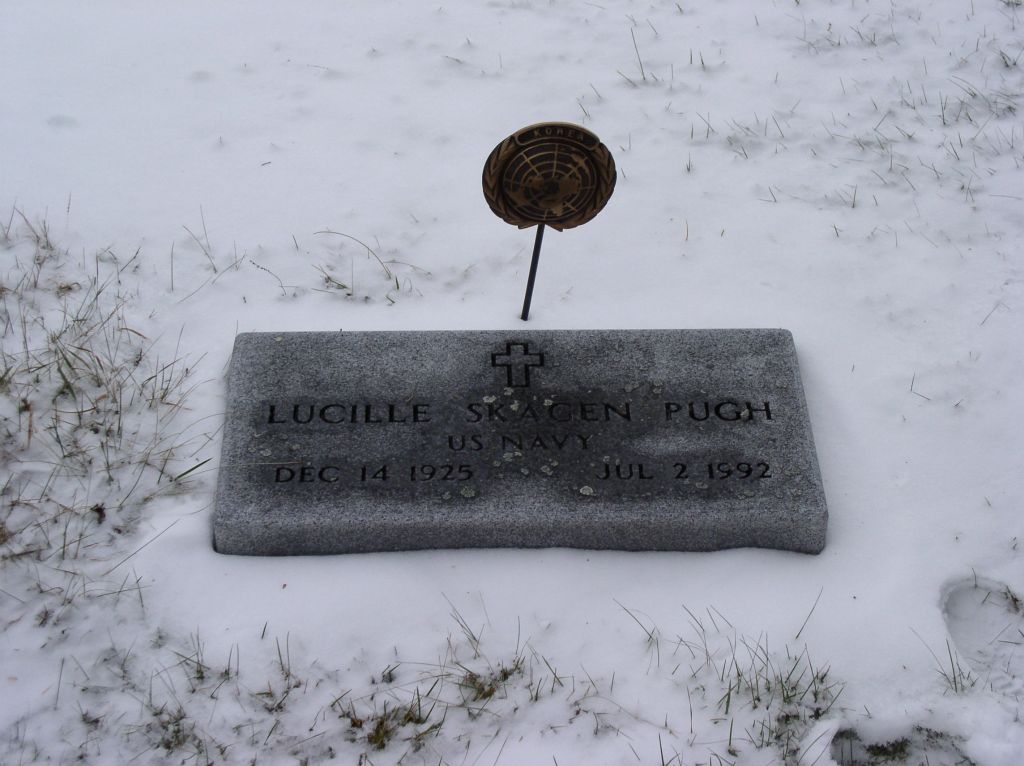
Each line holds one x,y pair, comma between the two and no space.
987,622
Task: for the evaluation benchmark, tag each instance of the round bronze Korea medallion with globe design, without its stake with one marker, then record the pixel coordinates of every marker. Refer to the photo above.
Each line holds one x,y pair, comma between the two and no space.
556,174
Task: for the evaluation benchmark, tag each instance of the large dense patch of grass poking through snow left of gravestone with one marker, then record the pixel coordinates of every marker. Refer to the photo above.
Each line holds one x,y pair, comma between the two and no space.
89,436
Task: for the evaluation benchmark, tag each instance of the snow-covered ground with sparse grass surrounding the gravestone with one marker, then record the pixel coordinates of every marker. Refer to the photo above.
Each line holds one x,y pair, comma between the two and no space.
172,175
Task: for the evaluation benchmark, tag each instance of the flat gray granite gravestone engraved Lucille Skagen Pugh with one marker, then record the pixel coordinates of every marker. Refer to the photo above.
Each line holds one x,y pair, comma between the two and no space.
648,440
